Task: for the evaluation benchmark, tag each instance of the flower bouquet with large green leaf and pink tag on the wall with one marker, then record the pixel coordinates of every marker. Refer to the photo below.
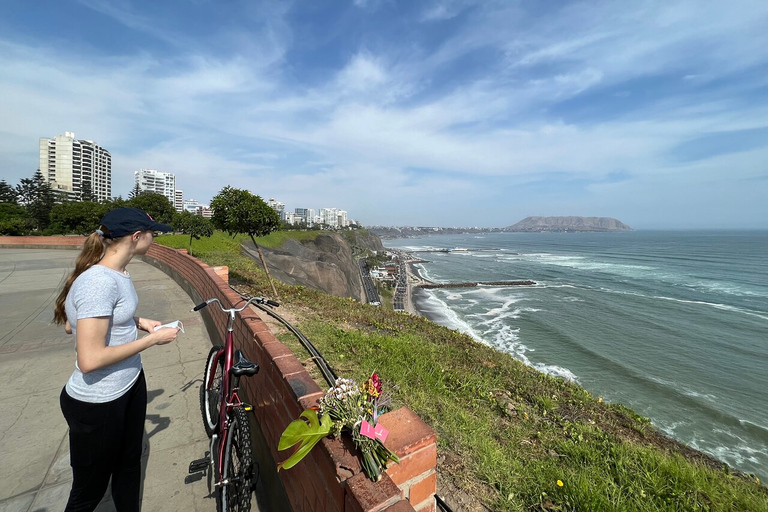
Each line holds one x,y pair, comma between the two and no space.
346,407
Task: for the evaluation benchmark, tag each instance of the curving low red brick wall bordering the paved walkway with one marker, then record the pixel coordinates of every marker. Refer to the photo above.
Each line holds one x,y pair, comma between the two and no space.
330,478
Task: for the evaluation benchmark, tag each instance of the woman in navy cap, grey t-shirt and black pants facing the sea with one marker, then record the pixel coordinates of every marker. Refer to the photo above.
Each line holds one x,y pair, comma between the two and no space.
105,399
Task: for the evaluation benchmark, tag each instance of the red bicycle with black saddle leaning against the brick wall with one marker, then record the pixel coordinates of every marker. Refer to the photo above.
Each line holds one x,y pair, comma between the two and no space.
225,419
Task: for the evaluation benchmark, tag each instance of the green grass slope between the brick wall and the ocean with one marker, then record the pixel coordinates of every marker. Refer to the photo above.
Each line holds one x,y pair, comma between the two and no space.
506,433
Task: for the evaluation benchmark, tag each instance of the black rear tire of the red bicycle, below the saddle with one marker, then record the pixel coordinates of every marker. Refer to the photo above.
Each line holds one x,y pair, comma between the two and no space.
238,465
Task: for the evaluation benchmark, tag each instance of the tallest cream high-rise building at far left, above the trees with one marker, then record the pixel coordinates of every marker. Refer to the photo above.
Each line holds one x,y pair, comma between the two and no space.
67,163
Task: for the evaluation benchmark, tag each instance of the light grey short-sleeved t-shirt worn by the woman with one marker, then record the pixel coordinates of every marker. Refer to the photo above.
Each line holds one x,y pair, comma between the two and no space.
102,291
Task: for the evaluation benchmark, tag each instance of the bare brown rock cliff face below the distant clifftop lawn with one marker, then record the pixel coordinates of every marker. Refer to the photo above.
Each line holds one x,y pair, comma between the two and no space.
328,263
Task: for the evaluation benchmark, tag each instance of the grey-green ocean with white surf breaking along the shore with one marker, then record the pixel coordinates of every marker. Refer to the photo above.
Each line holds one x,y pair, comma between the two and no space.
671,324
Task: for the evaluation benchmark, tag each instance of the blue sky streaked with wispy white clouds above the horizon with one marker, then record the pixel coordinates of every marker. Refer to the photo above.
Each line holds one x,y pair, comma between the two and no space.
419,113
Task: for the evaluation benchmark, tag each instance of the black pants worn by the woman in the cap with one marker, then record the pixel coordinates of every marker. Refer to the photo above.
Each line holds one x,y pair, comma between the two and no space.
105,440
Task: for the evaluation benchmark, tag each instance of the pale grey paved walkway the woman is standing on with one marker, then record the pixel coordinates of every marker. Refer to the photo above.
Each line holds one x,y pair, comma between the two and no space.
36,359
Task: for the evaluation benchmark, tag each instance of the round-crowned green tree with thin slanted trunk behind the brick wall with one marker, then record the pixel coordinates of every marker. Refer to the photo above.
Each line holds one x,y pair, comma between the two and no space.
238,211
